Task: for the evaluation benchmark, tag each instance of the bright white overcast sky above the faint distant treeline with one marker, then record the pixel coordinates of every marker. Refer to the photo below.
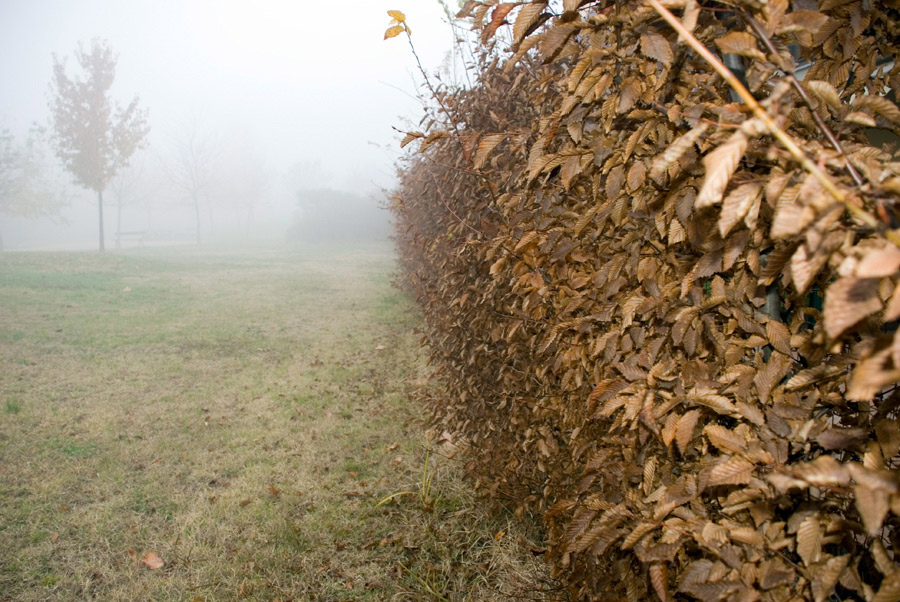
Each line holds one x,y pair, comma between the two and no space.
303,80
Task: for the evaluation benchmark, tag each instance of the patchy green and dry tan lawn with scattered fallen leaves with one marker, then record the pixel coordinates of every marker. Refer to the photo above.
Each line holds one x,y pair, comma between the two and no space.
236,417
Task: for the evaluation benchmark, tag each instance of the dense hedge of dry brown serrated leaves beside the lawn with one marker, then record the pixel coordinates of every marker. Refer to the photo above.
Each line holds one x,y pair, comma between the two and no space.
664,306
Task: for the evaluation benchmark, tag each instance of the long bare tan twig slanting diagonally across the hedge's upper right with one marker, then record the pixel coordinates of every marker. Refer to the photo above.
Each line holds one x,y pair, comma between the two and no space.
760,113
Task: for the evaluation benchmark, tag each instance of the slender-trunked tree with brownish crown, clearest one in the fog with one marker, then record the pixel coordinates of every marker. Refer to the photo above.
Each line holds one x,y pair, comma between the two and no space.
94,136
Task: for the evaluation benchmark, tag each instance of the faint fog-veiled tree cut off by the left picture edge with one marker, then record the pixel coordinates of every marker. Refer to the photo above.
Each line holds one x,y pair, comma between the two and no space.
26,187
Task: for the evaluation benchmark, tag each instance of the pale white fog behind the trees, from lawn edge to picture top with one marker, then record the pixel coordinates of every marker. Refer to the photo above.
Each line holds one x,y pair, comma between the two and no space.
276,98
